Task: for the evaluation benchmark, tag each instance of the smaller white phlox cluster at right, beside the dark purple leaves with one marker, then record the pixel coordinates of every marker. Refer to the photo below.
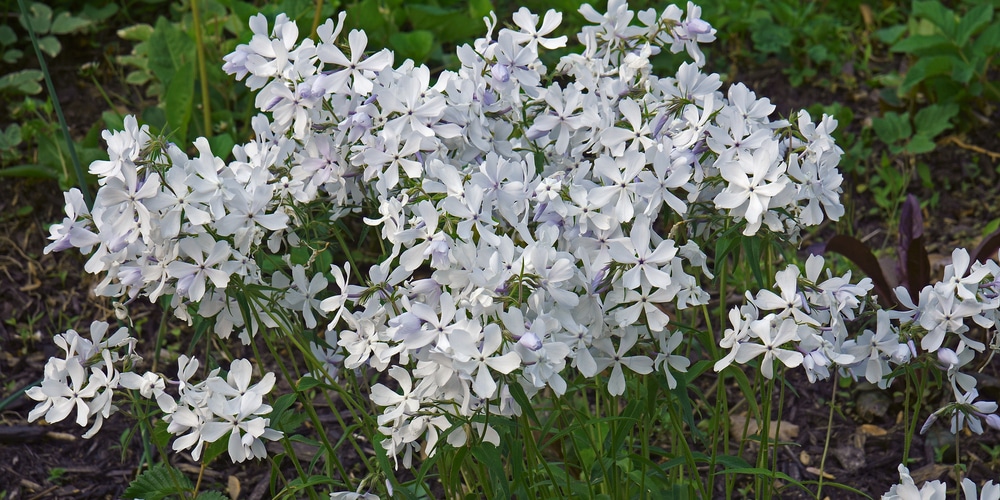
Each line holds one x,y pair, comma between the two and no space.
805,324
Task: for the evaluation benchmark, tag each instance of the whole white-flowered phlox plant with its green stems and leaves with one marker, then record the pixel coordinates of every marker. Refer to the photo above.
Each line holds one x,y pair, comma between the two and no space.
543,240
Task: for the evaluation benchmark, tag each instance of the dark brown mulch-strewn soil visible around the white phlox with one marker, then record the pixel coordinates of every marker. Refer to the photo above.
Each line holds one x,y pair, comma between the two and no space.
41,294
